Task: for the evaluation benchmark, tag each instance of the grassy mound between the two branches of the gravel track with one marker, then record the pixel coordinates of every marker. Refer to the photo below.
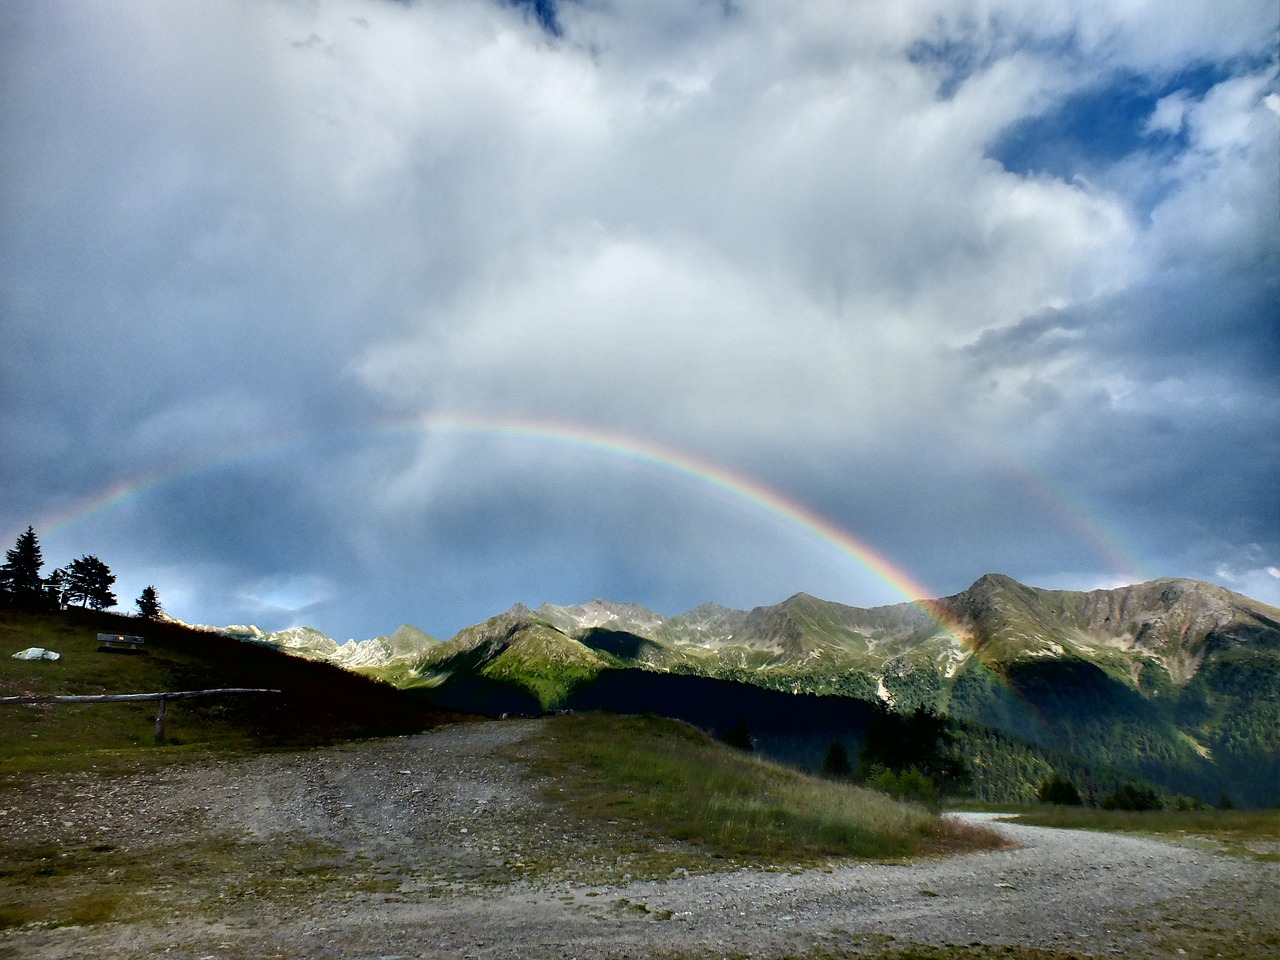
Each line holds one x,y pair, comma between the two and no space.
675,781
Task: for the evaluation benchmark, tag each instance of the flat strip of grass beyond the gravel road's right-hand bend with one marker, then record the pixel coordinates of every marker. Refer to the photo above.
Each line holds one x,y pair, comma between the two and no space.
1241,833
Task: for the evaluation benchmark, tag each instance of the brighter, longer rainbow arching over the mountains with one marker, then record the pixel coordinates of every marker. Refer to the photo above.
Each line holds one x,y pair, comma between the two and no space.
609,444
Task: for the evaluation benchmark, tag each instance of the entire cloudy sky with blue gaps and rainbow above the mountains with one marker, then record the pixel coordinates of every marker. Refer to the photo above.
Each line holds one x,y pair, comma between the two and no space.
359,313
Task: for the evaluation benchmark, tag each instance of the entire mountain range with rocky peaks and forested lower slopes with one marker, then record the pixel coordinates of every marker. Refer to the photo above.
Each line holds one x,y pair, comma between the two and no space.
1176,682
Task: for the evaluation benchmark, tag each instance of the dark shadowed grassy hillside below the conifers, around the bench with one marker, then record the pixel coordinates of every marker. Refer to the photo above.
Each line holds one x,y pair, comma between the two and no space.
318,703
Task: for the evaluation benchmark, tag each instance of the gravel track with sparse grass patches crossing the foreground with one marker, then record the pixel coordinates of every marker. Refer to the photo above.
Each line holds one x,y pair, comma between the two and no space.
444,845
